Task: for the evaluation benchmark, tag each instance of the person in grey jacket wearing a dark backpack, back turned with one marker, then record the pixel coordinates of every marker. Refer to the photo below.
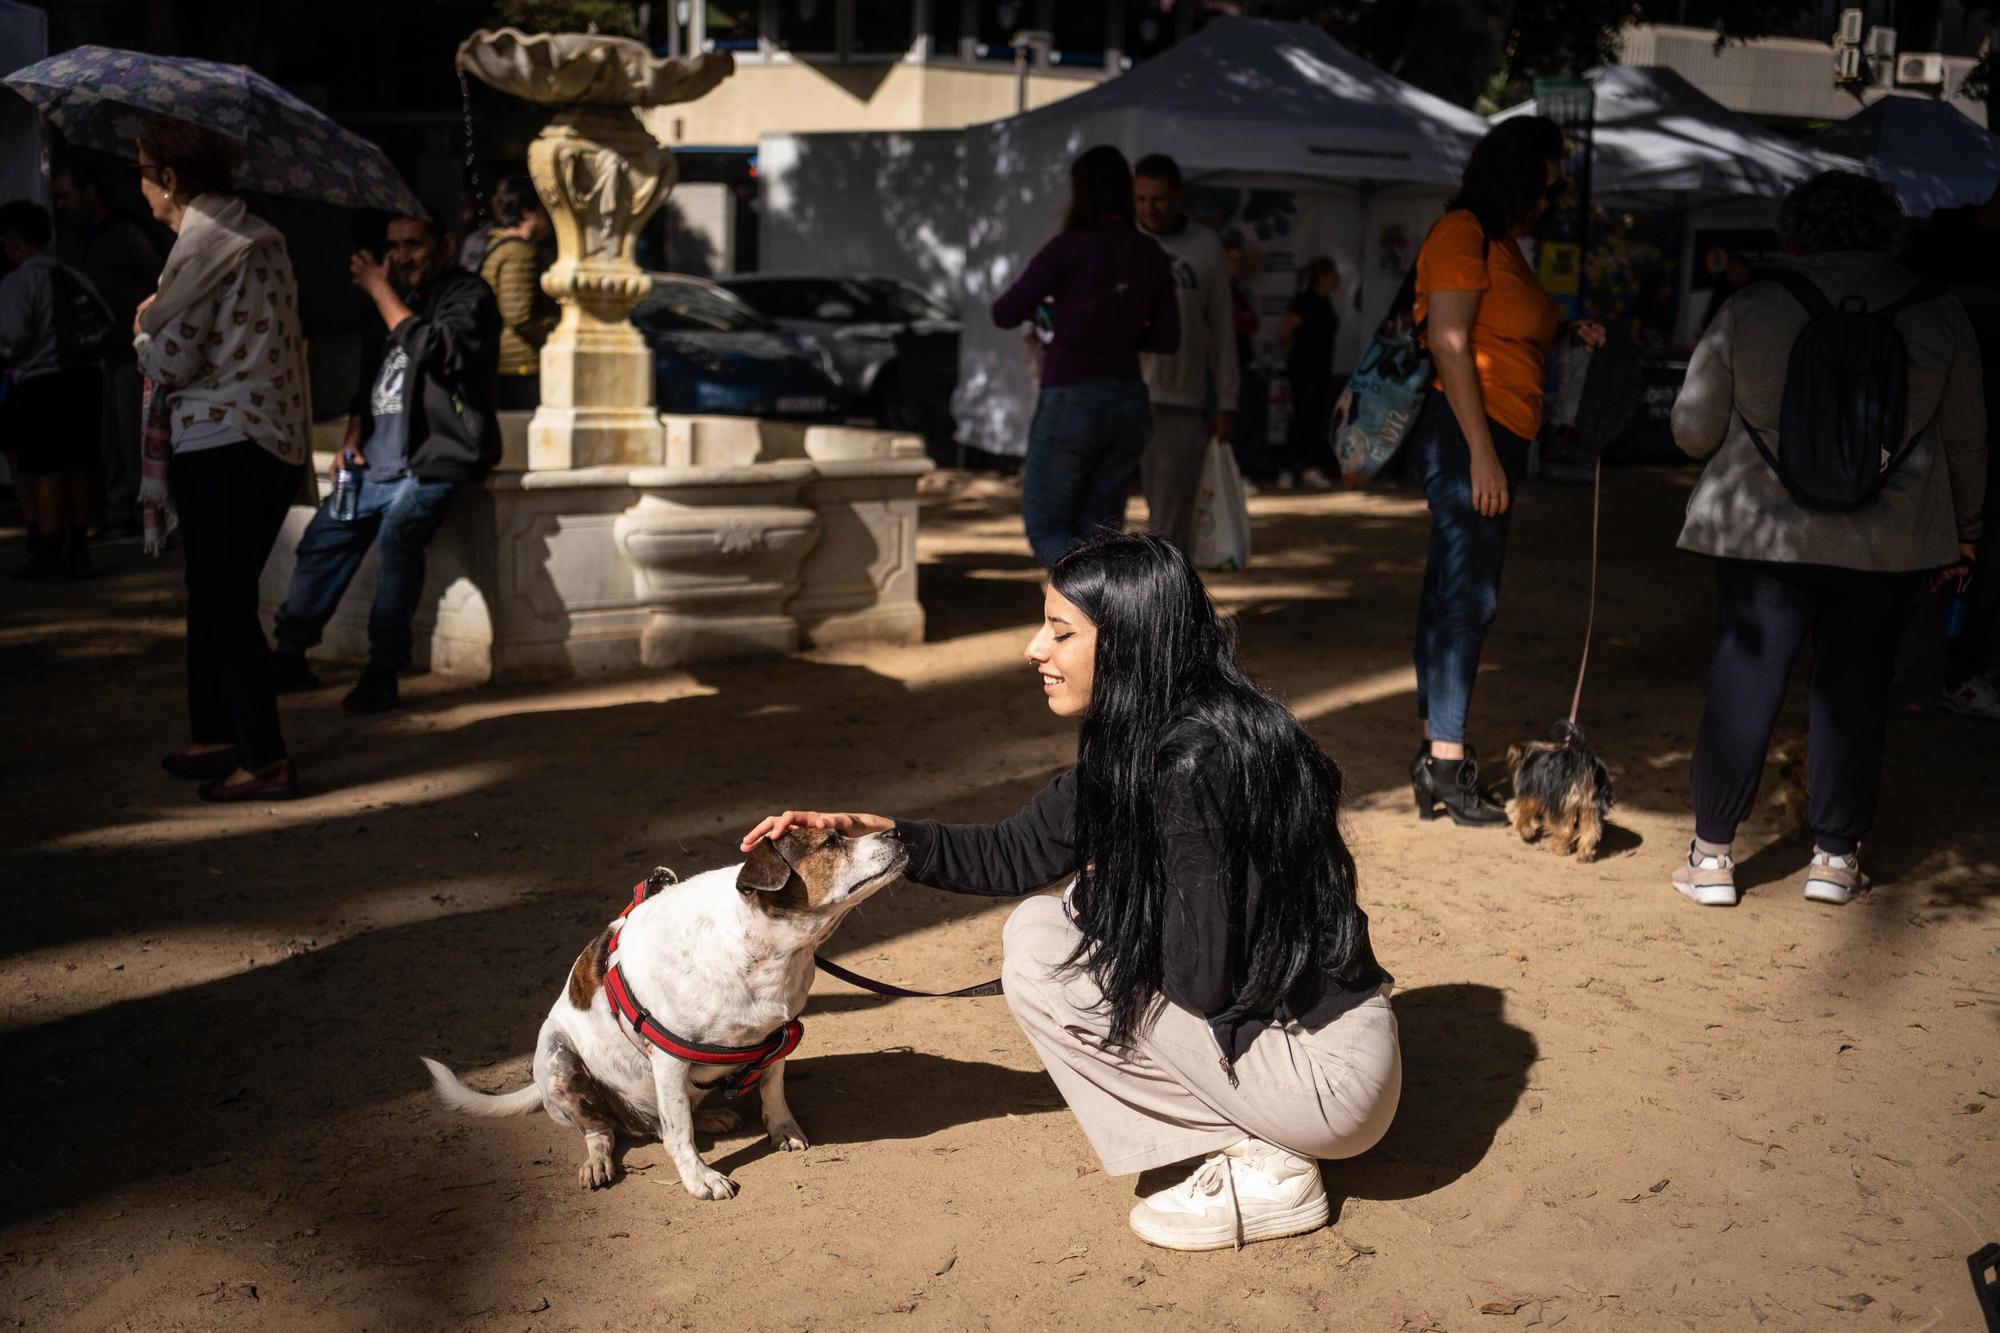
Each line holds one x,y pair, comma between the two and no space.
1841,413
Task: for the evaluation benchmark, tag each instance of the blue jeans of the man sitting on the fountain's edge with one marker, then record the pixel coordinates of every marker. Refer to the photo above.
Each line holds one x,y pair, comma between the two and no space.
407,515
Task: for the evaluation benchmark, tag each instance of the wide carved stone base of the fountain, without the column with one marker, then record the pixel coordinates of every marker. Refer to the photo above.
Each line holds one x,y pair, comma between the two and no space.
761,539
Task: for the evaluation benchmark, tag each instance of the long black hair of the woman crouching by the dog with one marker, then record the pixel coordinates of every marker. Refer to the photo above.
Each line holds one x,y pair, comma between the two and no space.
1173,716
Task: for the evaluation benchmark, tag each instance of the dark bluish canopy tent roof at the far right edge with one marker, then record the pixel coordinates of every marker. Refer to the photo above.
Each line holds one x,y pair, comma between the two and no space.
1927,149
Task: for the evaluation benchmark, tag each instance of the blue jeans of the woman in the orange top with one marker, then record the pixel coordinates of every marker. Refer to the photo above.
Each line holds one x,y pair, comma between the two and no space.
1463,573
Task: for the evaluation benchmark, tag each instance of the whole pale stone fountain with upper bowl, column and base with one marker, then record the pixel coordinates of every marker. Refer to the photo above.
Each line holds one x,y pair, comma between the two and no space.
615,537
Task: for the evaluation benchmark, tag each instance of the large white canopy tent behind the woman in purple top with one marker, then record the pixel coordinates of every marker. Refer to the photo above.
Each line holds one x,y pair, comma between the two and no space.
1363,159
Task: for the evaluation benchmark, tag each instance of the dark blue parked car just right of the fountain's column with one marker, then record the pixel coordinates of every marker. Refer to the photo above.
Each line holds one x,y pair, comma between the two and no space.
713,353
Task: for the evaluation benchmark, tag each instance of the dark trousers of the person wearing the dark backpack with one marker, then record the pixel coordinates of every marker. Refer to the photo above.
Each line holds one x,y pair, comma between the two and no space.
1765,615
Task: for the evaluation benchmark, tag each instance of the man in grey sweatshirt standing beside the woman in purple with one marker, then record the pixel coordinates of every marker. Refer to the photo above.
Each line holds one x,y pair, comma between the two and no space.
1203,371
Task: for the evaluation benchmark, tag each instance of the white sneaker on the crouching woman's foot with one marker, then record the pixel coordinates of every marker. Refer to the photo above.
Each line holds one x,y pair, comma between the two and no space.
1253,1192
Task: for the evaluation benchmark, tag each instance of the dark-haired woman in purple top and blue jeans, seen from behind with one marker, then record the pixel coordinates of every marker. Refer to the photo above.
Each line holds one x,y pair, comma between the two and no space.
1113,297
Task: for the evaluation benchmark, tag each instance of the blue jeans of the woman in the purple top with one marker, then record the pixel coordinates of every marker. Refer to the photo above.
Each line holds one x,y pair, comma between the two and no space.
1083,451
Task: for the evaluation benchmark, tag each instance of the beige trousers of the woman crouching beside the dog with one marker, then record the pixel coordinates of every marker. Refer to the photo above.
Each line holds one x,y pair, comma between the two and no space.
1169,1098
